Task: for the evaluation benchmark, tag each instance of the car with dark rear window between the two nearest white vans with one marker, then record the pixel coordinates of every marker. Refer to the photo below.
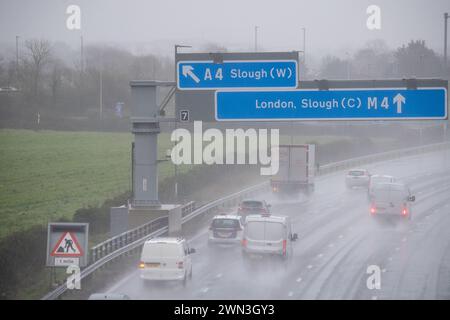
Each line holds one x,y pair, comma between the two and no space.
226,229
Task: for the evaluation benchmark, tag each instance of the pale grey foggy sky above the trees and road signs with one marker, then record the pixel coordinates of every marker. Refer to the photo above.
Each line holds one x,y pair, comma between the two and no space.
332,27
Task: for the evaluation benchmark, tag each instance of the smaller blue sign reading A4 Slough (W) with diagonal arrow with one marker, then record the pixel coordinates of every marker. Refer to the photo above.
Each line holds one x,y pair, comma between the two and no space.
207,75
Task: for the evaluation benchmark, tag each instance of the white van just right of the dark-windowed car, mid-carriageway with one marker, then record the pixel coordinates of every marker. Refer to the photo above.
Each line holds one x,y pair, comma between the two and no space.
267,235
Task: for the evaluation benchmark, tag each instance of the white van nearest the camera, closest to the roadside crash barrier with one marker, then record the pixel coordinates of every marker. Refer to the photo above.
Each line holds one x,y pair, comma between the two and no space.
166,259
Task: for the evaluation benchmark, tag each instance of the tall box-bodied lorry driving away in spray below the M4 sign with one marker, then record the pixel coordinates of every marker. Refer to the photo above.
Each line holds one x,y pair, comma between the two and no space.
296,169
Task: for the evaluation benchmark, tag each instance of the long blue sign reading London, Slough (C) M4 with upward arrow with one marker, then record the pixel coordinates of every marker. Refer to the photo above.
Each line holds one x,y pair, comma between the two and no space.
351,104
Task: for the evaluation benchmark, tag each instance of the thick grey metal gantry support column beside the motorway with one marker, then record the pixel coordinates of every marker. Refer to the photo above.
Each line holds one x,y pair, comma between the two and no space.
145,127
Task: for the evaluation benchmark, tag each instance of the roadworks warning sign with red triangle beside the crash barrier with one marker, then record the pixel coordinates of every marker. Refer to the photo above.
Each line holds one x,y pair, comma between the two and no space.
67,244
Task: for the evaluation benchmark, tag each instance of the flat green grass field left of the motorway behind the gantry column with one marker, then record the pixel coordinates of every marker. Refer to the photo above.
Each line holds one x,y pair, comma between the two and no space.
47,175
